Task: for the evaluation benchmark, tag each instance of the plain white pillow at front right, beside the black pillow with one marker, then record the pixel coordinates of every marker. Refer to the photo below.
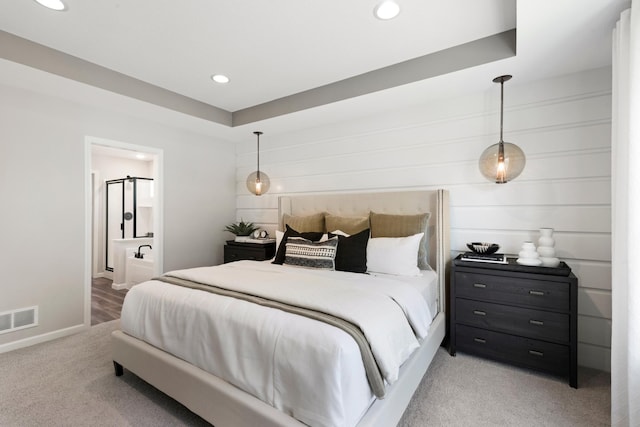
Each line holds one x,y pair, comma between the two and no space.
394,255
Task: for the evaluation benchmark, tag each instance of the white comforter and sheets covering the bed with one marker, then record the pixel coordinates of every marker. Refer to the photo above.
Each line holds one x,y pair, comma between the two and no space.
268,352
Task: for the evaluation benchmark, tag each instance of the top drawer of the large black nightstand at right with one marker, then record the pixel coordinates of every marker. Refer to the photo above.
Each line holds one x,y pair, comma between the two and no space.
532,293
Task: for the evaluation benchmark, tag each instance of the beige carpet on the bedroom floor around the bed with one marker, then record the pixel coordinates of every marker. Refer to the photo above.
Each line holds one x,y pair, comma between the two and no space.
70,382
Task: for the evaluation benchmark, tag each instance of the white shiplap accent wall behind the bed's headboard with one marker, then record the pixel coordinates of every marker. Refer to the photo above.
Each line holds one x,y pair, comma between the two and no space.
562,124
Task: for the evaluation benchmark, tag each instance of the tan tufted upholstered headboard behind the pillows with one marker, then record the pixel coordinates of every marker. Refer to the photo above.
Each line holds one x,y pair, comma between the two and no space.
404,203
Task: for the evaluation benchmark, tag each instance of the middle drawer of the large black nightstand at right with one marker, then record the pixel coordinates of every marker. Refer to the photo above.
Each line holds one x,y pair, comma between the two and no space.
516,320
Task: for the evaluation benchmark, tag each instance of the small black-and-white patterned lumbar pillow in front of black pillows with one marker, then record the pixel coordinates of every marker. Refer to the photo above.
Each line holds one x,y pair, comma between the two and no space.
301,252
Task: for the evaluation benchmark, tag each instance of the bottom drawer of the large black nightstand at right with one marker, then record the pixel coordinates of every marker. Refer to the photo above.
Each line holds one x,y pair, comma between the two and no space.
553,358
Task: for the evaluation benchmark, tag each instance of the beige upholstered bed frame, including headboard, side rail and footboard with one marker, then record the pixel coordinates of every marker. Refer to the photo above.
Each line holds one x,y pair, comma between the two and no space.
224,405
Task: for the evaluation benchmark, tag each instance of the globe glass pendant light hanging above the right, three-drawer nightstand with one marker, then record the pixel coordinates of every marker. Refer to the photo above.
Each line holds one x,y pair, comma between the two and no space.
503,161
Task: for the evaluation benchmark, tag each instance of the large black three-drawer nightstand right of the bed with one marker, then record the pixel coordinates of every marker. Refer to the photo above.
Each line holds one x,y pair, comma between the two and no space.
525,316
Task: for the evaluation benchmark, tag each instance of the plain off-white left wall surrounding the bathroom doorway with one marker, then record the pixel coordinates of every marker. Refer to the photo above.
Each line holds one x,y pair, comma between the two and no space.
42,188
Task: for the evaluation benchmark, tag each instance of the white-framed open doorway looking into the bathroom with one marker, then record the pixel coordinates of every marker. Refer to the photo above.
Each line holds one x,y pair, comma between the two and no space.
115,170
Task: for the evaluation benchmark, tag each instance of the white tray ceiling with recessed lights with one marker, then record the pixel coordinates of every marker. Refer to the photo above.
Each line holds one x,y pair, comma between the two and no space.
283,50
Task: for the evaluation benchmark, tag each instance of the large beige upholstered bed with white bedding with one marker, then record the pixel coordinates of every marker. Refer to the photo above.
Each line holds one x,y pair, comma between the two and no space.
187,378
